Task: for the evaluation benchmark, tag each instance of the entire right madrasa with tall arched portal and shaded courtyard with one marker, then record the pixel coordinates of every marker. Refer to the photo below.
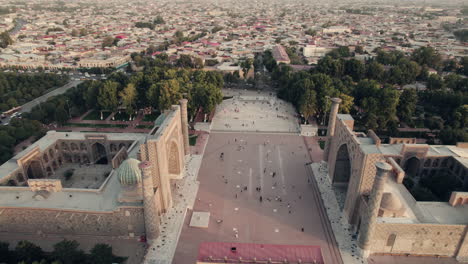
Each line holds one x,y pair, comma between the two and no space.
378,184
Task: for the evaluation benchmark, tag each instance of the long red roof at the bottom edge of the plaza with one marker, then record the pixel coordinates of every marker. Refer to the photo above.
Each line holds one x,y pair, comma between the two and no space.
216,252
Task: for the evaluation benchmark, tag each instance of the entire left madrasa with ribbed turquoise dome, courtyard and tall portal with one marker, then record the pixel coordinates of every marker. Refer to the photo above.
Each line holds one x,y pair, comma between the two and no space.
106,184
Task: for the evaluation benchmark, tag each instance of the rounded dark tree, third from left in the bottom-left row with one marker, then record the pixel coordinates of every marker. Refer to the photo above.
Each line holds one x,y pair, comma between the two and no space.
67,252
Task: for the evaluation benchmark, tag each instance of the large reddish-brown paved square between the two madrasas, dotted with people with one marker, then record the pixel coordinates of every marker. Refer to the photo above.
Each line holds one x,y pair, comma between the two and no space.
256,189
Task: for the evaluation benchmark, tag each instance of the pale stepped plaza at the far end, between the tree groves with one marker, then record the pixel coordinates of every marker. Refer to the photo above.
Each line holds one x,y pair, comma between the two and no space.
254,112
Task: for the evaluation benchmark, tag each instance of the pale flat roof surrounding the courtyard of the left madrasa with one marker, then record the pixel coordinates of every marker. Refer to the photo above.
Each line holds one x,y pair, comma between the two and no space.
104,200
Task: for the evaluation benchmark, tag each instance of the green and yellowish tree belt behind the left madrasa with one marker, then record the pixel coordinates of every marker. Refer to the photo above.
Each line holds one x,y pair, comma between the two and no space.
158,87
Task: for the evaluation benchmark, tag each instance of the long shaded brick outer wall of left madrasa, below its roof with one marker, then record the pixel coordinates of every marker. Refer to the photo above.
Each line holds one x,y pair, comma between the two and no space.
123,222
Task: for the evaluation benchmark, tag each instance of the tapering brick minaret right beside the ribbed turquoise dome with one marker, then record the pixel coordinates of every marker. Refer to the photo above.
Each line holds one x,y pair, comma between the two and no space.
149,202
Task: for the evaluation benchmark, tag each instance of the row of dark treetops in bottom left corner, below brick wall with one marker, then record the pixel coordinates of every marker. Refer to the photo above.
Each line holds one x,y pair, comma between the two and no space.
65,252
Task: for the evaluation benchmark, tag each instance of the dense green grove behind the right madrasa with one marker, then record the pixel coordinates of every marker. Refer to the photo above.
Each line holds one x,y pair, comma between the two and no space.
368,90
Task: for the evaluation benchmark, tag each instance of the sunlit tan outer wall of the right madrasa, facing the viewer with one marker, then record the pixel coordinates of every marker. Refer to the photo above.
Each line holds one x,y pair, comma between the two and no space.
418,239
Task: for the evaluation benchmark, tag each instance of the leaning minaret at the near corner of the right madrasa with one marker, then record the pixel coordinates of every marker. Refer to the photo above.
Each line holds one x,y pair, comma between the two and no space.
373,205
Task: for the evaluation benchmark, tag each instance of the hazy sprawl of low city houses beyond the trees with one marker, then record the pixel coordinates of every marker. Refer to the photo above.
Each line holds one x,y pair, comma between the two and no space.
83,34
